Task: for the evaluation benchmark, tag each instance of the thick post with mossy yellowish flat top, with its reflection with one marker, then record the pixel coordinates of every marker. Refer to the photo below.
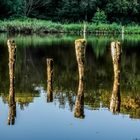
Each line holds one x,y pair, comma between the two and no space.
80,47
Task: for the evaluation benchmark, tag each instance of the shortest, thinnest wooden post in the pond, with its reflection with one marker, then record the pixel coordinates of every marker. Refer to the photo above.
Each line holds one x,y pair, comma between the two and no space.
49,80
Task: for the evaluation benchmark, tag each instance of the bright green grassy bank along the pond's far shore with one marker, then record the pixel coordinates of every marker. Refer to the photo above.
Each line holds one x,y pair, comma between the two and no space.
29,26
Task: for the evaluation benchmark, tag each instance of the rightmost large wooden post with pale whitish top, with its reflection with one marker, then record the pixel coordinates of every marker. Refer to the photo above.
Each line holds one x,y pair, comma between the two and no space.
116,58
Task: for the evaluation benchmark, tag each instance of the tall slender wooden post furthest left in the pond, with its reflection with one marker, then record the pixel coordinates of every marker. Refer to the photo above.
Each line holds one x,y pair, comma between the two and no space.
12,103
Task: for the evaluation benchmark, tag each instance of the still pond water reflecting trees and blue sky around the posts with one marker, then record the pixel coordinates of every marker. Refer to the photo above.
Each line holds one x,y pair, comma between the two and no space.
35,118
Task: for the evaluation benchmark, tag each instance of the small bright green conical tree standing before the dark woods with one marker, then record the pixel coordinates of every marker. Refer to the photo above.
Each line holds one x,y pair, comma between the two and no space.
99,17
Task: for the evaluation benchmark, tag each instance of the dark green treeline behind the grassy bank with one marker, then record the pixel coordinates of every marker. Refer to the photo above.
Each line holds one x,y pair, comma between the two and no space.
120,11
